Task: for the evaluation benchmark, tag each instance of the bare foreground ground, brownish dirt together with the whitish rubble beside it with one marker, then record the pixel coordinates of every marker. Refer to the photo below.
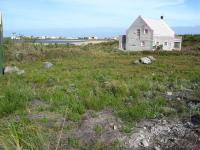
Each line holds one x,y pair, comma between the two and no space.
153,134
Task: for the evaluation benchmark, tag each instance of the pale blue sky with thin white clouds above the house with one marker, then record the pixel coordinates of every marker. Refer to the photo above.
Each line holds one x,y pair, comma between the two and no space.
87,17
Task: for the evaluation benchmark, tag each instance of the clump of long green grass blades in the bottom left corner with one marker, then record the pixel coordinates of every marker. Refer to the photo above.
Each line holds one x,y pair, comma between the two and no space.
21,135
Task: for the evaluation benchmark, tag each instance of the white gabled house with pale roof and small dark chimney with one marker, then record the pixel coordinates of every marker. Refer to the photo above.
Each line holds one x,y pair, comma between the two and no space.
150,34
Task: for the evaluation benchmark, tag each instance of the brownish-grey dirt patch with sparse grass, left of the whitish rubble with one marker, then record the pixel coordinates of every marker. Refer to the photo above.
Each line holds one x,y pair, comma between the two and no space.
101,126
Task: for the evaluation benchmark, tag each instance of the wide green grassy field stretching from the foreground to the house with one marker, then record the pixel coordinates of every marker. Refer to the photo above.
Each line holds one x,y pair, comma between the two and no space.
83,78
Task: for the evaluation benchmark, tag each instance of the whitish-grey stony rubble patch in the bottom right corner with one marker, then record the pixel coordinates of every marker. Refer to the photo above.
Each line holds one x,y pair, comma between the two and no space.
159,135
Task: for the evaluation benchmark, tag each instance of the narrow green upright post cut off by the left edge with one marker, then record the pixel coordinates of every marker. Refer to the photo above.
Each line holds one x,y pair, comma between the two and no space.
1,44
